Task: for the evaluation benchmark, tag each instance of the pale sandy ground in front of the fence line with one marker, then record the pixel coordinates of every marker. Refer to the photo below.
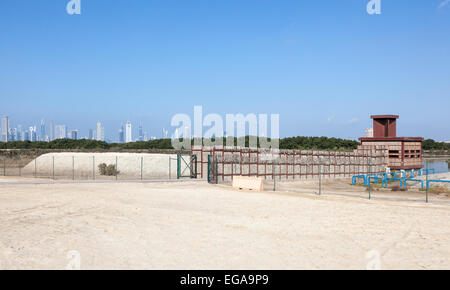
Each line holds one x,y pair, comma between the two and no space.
194,225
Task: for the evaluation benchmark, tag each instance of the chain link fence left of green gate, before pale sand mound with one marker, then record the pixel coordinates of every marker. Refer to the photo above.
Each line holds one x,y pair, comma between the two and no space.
84,166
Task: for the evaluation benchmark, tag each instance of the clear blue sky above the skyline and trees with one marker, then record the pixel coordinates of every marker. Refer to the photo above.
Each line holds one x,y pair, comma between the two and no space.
324,66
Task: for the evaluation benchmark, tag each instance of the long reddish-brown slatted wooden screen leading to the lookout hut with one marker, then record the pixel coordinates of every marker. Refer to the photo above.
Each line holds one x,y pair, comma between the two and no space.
289,164
